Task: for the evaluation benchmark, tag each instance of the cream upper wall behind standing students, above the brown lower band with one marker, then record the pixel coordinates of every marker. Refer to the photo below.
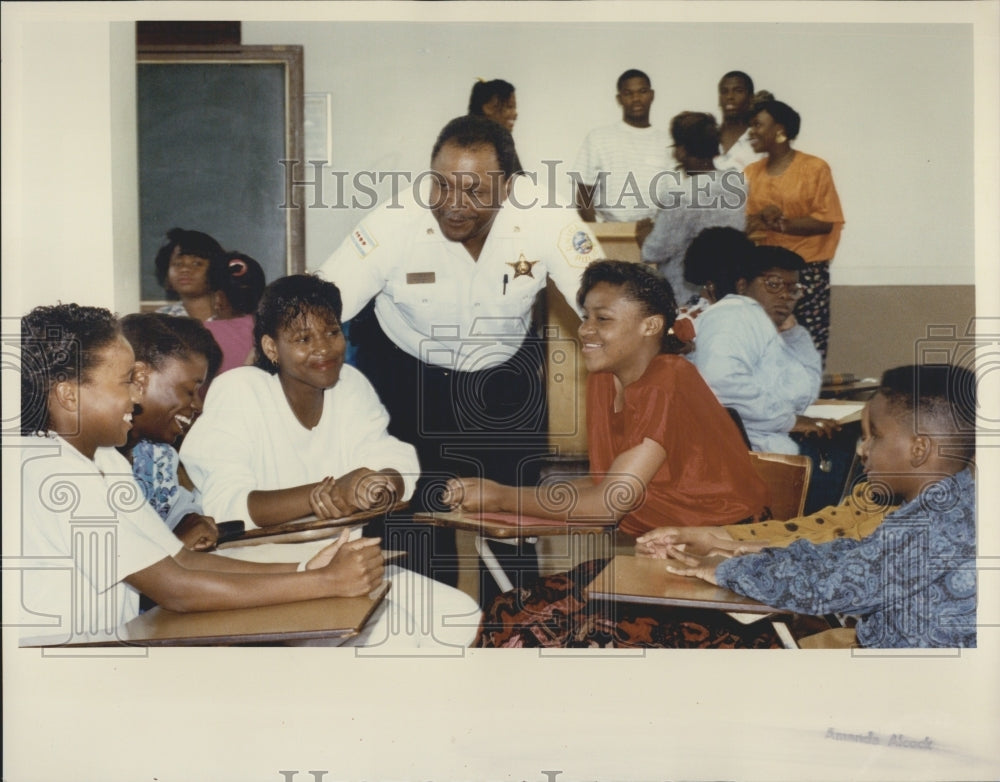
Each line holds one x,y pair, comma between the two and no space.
888,106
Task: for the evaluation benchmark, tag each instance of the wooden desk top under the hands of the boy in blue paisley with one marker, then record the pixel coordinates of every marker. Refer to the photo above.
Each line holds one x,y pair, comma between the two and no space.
645,580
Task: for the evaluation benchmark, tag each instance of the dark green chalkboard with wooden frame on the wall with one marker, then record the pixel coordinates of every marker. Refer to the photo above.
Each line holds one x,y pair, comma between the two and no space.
213,128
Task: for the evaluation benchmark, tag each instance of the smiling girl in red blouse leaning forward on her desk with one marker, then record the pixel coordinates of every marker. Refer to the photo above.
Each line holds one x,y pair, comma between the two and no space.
660,445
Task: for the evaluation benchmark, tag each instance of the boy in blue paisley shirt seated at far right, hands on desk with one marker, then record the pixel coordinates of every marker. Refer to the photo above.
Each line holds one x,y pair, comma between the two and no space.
912,582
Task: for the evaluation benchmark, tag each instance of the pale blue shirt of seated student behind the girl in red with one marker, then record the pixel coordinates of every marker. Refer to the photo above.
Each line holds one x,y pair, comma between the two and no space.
766,376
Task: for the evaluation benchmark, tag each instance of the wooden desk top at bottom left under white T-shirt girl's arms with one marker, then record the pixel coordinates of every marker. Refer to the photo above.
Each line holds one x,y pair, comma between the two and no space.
324,618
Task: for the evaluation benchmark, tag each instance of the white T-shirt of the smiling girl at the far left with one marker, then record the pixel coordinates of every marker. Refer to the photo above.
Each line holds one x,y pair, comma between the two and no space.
93,514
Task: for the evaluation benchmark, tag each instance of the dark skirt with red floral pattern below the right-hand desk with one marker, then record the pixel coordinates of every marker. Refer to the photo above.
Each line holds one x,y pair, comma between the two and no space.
554,612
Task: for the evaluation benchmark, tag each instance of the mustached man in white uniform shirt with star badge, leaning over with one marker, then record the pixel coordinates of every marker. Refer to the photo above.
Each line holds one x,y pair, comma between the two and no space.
439,289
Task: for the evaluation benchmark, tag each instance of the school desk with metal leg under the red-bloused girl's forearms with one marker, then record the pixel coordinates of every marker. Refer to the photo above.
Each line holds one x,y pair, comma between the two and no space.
587,539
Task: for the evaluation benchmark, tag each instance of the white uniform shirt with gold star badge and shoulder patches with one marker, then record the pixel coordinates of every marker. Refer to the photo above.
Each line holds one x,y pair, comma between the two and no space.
438,304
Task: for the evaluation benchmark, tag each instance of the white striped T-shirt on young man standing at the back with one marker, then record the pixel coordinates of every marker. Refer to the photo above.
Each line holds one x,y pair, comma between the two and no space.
633,158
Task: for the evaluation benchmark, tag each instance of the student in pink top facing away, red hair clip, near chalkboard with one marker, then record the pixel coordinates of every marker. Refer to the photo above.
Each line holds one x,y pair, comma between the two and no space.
237,282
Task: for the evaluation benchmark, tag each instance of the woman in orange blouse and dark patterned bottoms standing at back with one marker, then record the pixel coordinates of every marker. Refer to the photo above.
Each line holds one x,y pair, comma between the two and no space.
793,203
